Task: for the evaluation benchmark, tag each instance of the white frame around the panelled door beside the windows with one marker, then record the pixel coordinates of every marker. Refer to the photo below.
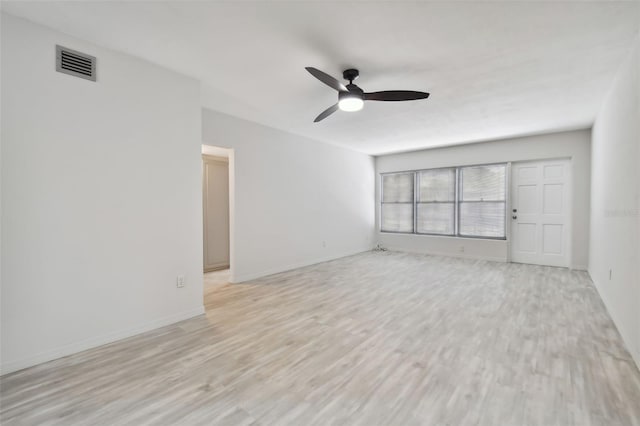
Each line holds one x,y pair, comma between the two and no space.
510,181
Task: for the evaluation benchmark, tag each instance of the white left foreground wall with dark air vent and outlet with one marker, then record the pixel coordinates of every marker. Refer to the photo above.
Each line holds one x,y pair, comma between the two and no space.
101,196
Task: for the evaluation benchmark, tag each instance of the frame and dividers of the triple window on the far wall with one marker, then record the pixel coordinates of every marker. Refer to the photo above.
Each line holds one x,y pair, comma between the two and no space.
457,202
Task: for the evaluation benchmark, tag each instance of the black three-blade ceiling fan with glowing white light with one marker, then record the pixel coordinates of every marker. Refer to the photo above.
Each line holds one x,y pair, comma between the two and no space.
351,97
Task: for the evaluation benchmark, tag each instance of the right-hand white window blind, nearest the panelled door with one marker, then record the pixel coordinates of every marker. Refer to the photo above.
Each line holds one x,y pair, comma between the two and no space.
482,201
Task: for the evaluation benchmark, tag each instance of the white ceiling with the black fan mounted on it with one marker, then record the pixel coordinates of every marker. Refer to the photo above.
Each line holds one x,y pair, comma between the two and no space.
494,69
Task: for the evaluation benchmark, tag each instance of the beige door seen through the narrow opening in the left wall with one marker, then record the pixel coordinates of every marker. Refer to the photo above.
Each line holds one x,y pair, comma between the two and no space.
215,188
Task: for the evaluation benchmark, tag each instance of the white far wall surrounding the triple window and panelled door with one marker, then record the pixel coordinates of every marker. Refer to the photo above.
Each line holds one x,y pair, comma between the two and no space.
574,145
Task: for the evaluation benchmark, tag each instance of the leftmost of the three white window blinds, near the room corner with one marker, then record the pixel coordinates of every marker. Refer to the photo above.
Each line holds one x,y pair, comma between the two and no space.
397,202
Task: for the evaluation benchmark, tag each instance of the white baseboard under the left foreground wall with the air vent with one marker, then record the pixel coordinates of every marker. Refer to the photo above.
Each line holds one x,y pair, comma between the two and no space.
70,349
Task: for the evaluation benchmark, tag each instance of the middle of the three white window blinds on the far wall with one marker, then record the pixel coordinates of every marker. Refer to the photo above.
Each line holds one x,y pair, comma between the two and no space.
436,202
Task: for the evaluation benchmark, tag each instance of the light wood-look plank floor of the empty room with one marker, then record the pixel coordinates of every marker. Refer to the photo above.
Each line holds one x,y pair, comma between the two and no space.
374,339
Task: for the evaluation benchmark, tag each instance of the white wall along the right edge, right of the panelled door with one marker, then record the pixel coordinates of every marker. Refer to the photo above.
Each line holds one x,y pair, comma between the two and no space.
615,202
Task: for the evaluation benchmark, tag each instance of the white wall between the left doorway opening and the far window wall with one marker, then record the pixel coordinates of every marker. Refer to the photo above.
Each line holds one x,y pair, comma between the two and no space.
291,194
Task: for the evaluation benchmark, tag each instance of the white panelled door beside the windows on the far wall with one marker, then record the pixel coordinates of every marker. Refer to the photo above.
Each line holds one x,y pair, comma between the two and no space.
540,212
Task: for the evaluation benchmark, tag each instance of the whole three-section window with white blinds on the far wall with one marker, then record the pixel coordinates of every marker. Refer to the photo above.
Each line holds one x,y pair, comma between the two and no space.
457,201
